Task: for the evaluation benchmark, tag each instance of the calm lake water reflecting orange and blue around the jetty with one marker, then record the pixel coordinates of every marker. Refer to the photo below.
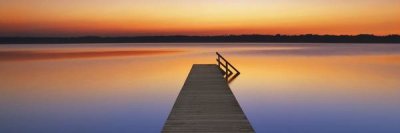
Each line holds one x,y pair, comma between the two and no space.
283,88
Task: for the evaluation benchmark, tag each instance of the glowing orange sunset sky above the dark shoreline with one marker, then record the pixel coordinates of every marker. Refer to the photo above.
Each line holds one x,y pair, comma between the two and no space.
197,17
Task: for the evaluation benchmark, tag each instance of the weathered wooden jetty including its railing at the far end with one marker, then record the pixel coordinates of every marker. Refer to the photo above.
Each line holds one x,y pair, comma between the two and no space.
206,103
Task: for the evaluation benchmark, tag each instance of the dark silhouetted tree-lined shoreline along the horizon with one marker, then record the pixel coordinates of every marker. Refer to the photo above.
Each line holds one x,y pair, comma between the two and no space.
308,38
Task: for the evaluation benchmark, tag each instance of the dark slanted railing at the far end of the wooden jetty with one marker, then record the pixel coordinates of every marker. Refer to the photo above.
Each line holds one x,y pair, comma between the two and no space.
225,66
